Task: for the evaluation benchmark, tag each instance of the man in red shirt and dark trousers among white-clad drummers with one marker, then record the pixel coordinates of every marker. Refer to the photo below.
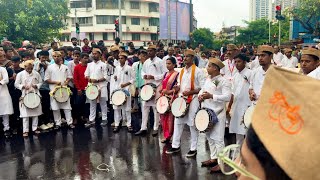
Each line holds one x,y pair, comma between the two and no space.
80,83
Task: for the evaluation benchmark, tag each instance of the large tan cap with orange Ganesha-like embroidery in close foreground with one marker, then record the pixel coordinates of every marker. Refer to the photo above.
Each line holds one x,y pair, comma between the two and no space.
287,124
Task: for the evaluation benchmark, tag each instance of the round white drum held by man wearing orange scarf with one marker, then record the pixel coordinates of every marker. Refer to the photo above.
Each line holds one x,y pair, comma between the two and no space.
179,107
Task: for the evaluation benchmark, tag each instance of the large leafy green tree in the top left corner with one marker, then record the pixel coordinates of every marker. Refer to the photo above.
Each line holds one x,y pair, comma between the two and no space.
35,20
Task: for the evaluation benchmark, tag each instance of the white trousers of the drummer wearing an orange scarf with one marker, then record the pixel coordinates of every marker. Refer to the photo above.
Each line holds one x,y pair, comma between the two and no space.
177,133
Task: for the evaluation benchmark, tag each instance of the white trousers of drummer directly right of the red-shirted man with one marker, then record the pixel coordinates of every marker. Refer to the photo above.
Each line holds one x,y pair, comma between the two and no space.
93,109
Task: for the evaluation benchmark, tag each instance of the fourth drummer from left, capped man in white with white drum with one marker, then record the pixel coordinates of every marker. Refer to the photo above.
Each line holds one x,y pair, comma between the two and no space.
123,77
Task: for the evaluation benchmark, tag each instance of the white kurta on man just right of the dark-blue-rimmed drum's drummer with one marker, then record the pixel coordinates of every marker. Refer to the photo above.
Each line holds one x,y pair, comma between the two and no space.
241,101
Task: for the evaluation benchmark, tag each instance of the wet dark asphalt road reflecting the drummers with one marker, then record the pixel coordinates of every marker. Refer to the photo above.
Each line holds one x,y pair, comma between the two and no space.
75,154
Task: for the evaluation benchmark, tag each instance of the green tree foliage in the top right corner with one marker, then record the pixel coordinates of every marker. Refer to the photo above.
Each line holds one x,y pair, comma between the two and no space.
307,13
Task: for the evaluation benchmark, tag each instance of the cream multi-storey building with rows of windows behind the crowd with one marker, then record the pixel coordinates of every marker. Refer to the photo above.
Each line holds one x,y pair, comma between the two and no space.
140,20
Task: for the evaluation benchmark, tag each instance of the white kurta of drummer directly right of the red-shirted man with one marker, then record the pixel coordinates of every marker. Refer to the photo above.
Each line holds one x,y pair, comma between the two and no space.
98,70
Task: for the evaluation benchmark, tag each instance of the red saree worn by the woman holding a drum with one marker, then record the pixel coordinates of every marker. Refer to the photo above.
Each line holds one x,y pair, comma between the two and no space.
169,80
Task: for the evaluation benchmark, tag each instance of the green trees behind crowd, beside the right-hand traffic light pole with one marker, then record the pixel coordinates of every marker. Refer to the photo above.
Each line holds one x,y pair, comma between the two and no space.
257,32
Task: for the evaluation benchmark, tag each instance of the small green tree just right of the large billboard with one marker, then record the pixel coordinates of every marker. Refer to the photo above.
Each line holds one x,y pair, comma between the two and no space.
202,36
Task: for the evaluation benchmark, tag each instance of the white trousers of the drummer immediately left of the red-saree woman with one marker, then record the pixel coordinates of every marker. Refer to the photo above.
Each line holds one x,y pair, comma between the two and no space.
145,117
